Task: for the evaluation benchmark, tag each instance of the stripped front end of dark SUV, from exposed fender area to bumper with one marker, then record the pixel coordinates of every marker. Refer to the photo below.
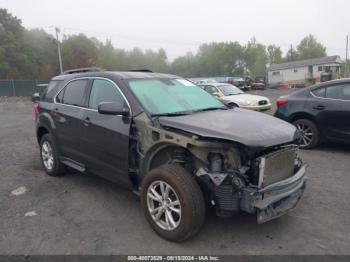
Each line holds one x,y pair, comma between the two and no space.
265,180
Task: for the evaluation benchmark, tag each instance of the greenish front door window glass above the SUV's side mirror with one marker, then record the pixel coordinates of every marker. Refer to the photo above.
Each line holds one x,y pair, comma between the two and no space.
104,91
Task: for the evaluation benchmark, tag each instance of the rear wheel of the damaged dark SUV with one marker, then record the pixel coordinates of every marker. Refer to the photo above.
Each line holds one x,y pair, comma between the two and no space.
50,157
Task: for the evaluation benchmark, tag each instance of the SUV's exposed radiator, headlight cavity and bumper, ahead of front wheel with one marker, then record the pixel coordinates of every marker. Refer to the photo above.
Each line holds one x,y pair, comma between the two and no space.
268,183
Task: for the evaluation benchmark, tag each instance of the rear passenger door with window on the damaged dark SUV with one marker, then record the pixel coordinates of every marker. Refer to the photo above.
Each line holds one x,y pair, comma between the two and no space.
68,112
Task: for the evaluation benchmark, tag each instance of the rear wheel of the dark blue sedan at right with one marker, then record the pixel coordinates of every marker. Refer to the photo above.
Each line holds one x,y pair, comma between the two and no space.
309,133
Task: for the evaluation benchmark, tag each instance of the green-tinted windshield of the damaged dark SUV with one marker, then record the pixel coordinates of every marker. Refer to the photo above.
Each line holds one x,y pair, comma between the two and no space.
166,96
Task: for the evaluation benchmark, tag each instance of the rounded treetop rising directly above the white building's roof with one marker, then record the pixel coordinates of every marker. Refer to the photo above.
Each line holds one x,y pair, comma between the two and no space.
309,47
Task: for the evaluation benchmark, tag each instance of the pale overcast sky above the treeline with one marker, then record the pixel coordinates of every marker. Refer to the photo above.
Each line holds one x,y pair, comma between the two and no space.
180,26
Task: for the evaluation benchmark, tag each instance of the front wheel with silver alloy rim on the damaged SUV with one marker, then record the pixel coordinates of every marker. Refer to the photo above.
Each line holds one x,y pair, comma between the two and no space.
173,202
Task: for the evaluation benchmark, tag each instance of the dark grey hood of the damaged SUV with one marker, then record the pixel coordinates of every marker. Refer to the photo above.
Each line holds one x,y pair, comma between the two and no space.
247,127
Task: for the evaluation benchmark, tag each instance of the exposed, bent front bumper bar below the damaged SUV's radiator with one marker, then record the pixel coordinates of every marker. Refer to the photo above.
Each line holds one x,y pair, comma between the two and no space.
276,199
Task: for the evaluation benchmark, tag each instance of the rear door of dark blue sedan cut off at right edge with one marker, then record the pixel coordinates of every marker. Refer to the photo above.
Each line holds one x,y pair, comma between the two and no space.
331,105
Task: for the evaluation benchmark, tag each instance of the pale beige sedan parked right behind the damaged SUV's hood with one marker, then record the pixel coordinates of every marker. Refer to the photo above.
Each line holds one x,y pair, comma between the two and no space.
232,96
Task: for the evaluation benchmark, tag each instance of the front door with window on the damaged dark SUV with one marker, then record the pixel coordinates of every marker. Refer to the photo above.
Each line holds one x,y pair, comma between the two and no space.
106,137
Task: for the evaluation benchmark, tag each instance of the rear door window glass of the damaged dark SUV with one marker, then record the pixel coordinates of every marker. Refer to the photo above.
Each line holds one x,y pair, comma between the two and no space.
74,93
